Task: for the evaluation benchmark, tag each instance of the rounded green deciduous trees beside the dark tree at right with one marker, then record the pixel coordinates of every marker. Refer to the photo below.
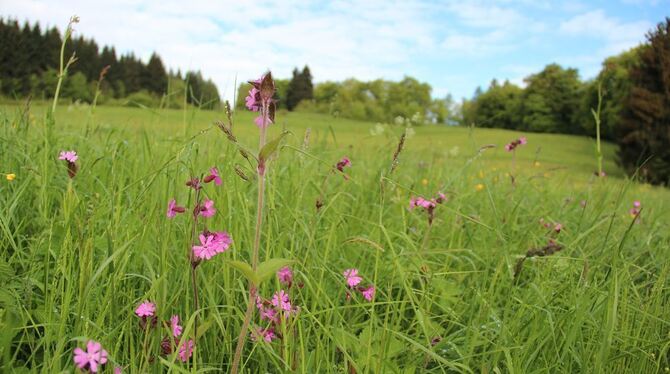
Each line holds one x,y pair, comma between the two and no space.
556,100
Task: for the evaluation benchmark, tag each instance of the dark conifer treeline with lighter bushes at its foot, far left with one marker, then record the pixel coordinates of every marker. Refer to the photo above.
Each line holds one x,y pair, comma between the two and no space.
30,59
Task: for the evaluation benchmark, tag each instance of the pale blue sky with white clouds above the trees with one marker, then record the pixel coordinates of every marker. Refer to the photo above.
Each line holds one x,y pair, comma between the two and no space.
455,46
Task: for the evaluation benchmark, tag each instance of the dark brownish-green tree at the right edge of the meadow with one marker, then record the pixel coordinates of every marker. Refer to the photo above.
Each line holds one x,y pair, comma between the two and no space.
644,133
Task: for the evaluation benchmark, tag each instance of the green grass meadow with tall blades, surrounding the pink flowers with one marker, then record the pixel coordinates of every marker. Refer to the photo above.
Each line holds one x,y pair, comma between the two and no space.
79,255
